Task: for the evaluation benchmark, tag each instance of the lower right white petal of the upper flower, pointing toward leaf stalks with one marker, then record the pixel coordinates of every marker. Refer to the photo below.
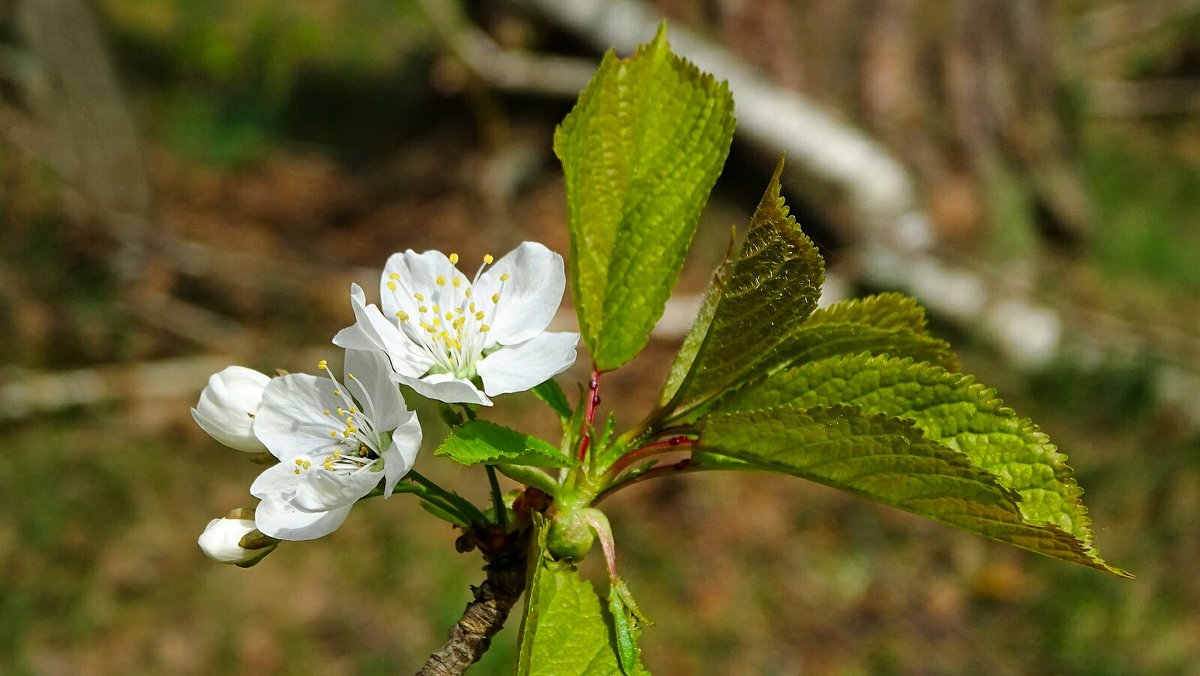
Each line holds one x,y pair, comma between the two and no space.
523,367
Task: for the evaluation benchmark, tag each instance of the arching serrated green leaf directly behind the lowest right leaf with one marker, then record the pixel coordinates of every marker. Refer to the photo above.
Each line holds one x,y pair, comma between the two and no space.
958,415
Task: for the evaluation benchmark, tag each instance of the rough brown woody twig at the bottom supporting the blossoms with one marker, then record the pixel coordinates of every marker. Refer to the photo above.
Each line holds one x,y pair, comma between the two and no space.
472,636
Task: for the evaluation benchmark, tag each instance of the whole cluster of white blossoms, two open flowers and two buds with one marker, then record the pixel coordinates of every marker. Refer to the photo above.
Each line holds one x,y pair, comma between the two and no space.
449,338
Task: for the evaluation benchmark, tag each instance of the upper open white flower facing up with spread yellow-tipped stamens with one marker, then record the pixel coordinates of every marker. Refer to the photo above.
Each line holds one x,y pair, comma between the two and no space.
443,331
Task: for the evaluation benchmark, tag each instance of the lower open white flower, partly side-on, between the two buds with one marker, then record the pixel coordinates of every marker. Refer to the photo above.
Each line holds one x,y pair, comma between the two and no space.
334,444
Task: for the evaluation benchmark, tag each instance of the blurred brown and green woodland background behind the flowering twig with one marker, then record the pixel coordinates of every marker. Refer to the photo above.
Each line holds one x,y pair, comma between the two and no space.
187,186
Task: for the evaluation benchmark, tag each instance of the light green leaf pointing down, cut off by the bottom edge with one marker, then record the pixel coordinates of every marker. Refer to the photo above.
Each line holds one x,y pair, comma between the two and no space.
565,631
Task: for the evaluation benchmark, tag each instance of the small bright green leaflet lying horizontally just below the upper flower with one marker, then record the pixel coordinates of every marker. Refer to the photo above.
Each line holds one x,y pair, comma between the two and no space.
481,441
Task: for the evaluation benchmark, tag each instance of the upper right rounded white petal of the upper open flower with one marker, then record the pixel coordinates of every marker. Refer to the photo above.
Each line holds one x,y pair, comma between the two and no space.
530,297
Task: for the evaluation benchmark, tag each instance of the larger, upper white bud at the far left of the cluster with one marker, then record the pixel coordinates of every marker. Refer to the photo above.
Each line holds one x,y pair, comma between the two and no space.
229,405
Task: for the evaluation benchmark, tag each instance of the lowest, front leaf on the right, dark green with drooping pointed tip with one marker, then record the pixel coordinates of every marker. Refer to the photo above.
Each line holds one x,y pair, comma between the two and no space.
892,462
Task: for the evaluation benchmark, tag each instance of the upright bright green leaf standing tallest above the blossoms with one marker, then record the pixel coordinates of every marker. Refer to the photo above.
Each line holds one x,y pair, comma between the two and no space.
641,152
